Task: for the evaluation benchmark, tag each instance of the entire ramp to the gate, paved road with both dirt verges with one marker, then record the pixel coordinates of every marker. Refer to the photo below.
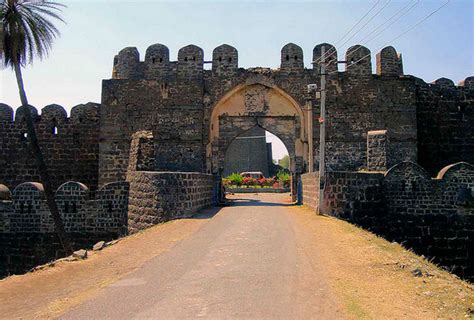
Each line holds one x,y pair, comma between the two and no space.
260,258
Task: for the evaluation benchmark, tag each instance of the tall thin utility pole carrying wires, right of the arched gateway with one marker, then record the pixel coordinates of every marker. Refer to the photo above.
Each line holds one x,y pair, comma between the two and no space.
322,133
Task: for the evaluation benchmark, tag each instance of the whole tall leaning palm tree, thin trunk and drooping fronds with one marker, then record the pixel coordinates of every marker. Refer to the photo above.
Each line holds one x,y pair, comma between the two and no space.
28,33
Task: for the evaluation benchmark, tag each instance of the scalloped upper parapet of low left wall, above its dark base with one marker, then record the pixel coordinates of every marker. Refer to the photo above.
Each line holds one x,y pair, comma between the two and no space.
26,209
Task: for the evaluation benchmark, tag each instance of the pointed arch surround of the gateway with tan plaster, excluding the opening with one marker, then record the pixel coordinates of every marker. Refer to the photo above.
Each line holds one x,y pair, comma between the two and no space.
256,102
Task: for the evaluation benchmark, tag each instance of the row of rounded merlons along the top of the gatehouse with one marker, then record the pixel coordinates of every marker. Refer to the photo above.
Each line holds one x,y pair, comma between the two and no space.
190,62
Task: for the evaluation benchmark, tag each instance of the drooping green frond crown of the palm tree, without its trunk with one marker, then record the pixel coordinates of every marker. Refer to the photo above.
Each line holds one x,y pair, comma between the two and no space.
28,31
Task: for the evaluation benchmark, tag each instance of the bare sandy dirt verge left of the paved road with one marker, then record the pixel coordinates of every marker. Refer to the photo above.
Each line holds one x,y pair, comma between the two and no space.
47,293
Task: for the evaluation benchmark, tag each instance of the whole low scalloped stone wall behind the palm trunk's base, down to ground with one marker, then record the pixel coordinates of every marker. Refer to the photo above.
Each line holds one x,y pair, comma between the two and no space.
27,236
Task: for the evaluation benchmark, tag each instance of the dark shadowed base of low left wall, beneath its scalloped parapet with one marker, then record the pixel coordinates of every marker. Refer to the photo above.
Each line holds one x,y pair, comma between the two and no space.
22,251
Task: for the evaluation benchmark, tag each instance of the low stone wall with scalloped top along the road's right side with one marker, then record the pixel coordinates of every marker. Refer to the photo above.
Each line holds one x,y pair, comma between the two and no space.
434,217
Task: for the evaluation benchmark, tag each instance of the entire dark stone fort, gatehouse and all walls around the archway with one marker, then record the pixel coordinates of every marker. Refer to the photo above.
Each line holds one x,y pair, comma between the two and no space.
153,127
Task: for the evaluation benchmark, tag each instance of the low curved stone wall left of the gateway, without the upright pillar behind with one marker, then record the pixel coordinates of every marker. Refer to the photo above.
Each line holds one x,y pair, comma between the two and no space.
157,197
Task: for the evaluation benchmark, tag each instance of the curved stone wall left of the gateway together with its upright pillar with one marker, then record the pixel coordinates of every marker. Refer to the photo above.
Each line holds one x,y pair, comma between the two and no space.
156,197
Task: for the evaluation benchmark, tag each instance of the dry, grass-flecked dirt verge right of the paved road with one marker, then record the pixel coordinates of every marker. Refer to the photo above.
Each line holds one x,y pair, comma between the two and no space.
376,279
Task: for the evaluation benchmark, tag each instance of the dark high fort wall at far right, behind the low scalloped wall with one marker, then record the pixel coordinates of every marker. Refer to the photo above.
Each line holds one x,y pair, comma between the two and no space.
445,122
